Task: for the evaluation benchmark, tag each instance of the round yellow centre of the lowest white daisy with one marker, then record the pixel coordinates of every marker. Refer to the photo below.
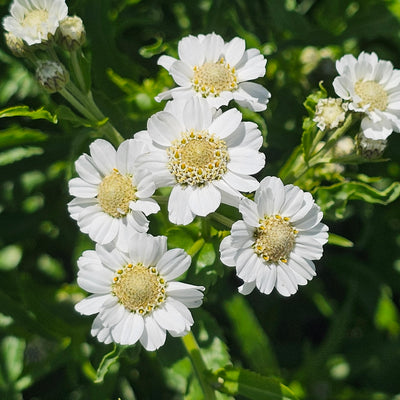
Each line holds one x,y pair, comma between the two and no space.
139,289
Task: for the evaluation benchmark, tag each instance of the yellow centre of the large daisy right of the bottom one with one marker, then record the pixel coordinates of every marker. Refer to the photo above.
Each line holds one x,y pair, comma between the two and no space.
274,239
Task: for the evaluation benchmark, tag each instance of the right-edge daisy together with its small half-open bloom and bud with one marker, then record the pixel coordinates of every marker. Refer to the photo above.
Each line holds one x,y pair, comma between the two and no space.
369,88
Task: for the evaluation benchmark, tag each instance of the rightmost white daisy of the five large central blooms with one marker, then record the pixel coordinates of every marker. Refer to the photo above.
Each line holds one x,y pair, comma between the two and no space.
275,243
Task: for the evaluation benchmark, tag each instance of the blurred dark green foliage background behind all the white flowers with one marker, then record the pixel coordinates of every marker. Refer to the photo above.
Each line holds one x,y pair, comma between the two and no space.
337,338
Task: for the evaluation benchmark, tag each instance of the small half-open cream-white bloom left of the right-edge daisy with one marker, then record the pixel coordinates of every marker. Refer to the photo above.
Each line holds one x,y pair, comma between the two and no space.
330,113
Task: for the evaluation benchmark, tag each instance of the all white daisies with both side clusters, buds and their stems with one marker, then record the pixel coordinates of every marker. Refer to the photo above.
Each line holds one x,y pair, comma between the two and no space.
195,155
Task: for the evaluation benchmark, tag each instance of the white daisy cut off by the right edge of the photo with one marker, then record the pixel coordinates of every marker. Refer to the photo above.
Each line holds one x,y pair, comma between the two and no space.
372,87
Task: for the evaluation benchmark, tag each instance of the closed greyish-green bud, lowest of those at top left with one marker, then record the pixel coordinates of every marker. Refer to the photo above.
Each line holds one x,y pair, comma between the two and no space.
52,76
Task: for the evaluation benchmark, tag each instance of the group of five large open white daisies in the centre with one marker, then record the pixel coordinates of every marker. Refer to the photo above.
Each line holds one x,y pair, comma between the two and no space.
207,157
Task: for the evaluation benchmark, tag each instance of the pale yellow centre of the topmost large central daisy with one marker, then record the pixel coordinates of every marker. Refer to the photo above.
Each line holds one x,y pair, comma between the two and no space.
212,78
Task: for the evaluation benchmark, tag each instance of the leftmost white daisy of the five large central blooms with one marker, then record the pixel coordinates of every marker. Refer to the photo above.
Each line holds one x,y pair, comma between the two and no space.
112,196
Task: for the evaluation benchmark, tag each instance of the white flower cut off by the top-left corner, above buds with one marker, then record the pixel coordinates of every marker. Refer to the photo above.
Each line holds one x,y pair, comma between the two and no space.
34,20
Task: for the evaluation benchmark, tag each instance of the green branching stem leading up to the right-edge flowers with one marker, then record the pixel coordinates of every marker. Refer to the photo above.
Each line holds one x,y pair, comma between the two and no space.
299,167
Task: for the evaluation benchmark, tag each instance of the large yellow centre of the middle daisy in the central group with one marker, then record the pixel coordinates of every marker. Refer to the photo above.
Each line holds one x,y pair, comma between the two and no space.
197,158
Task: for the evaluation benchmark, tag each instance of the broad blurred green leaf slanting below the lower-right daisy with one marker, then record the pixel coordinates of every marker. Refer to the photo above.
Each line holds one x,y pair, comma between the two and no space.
254,343
